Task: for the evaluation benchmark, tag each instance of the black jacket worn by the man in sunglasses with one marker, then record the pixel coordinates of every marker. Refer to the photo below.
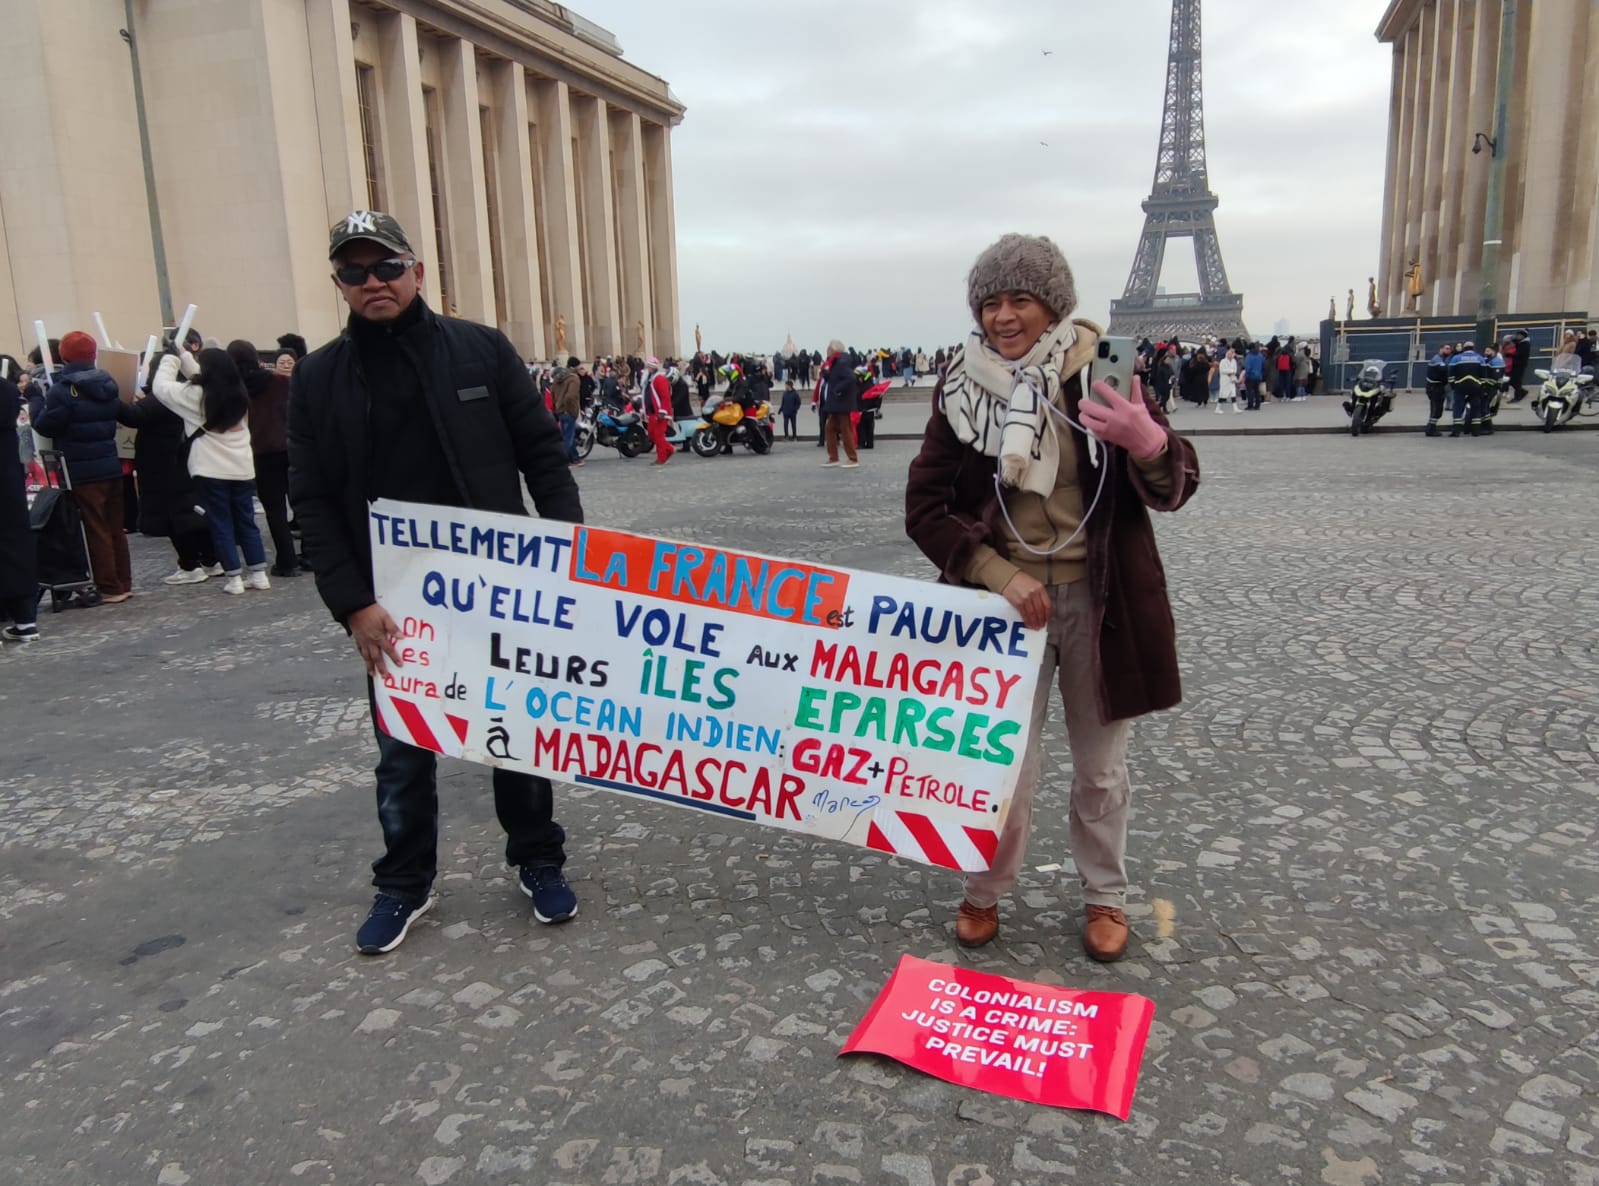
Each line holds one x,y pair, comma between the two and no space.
493,429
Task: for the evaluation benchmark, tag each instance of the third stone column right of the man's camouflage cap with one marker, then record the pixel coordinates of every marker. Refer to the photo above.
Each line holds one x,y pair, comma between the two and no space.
519,234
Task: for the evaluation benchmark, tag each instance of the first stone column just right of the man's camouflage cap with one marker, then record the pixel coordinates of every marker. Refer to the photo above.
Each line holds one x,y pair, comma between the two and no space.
405,138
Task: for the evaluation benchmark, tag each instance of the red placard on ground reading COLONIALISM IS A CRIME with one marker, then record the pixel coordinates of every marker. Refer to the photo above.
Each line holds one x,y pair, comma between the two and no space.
1015,1038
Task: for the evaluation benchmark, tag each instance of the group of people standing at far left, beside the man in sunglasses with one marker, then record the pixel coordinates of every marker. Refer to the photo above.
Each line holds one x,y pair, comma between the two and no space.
186,456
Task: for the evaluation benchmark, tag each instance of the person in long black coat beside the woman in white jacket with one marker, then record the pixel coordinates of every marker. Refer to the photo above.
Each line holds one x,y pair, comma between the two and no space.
169,506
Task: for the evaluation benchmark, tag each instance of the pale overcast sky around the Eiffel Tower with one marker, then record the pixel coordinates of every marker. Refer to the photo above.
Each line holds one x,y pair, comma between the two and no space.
843,162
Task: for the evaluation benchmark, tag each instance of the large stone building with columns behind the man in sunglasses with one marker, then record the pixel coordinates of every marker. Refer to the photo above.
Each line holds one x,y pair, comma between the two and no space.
528,161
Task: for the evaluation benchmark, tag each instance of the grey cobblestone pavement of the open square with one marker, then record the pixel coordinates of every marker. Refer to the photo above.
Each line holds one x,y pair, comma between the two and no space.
1365,882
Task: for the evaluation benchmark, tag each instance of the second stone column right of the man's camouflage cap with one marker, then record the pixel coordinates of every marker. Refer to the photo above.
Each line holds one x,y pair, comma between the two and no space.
461,169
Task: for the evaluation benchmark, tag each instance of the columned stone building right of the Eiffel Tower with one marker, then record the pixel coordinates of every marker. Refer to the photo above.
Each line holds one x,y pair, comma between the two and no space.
1446,57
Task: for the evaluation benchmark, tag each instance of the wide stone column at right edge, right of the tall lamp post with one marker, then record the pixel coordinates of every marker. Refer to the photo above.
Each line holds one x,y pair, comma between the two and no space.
1553,82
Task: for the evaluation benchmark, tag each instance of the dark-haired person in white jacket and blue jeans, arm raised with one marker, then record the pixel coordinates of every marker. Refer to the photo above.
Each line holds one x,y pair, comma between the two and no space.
210,397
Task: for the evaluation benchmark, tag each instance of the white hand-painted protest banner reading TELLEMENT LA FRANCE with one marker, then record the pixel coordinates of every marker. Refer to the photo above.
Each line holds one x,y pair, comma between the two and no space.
850,706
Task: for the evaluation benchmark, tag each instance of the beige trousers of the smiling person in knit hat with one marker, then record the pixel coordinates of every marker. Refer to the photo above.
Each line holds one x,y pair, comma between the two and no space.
1099,768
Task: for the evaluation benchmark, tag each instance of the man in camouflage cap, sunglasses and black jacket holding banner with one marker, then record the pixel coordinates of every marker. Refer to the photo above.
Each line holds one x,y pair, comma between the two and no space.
412,405
